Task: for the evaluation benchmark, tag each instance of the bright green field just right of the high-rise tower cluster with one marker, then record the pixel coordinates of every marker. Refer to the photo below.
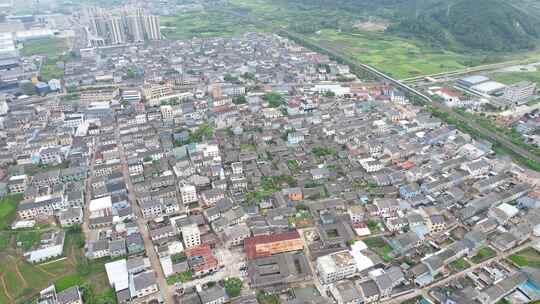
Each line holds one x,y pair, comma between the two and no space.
204,24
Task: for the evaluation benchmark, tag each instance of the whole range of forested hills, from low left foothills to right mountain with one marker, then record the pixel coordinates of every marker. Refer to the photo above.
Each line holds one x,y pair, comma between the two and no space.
493,25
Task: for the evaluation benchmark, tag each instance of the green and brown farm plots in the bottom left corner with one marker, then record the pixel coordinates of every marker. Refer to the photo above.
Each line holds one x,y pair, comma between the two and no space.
20,280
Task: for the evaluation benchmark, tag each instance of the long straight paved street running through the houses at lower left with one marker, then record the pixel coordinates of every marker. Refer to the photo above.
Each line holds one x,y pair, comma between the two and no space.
141,223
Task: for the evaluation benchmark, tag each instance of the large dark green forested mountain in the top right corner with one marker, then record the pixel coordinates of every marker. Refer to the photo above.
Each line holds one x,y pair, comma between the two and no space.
494,25
